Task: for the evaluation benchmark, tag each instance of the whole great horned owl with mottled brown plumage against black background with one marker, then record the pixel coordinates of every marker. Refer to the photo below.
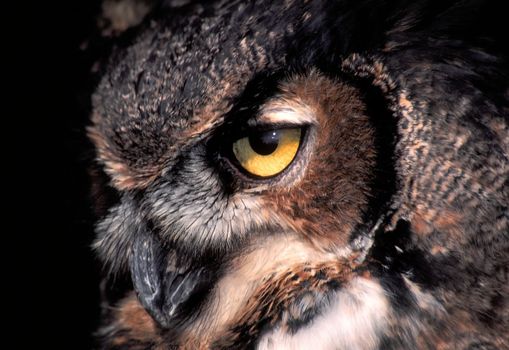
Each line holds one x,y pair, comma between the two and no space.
306,175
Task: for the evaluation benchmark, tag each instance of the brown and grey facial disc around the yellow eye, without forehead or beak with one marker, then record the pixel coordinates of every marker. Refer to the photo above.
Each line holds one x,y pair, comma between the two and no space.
256,171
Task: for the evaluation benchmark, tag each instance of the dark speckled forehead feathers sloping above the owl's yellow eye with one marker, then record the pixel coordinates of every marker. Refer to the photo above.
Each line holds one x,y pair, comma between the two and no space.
178,79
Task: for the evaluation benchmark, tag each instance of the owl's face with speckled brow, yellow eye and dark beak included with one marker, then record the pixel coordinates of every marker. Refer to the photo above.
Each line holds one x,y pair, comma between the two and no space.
213,165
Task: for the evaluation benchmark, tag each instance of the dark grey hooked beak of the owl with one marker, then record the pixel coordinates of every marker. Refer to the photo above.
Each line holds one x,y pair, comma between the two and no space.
163,291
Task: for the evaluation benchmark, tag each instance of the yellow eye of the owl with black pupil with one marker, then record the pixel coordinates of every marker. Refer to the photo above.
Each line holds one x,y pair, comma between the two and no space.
267,153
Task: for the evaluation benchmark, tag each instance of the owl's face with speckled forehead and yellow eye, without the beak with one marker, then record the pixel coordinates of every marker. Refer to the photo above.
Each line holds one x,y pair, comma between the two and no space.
212,145
